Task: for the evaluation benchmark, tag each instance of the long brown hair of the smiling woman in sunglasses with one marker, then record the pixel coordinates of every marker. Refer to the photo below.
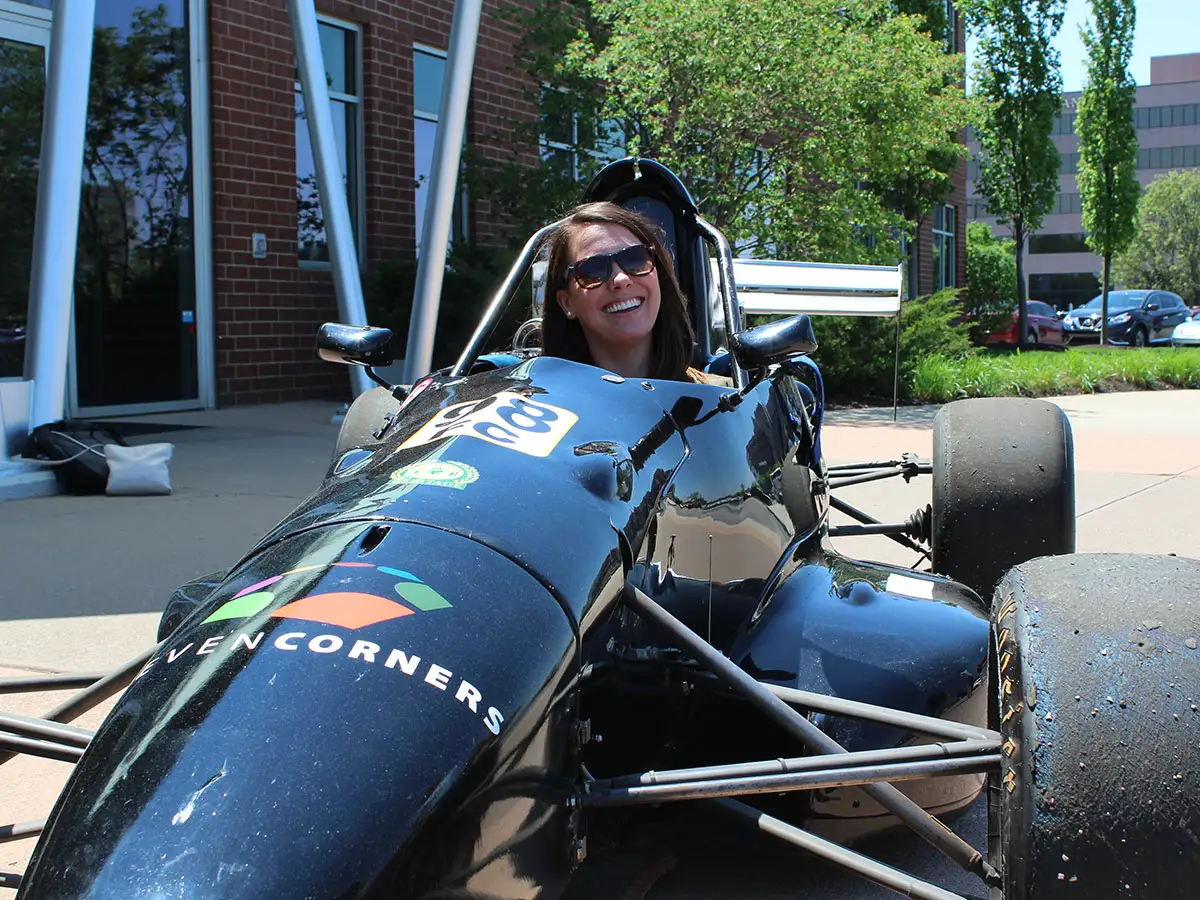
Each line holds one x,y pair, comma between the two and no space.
674,338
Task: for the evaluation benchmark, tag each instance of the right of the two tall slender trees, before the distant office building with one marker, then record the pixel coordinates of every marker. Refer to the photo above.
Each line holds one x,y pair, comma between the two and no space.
1108,143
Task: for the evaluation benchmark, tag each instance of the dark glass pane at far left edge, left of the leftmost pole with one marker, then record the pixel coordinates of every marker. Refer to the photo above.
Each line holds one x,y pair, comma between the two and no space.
25,41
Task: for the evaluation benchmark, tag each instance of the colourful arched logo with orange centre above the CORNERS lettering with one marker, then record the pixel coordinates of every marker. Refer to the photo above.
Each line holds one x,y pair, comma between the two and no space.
346,609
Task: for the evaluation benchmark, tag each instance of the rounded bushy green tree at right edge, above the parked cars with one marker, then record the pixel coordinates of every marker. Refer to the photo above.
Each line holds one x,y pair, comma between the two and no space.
1166,249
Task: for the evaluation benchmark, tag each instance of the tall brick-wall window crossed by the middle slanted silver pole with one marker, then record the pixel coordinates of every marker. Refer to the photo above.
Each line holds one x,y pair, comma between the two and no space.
340,46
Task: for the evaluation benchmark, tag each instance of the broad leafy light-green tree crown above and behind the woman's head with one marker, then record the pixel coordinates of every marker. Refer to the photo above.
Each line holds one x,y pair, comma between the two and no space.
790,121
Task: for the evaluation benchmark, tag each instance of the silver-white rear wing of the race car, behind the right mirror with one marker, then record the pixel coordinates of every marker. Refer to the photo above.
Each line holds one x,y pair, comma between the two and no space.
770,287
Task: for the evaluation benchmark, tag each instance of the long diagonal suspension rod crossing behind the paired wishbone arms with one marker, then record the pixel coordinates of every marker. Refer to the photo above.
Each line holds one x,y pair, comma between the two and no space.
887,796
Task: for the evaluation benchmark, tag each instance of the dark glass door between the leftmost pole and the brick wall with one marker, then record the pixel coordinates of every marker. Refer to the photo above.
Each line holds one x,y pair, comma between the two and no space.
135,343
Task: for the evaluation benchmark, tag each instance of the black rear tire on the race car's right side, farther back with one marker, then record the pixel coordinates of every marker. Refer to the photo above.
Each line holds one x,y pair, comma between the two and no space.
1004,488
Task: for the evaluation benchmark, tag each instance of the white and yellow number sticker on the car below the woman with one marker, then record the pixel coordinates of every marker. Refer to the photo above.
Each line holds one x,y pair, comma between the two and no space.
506,419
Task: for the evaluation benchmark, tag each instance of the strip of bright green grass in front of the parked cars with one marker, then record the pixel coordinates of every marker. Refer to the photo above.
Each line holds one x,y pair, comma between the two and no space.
1039,374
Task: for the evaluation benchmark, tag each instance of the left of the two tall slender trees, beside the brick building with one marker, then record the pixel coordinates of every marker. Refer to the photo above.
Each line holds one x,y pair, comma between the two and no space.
1019,83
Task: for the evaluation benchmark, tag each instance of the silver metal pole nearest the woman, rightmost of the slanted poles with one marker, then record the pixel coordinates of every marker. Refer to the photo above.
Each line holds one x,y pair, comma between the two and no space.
443,181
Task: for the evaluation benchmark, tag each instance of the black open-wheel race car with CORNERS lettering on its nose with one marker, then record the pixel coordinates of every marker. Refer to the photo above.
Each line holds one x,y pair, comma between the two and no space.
531,595
